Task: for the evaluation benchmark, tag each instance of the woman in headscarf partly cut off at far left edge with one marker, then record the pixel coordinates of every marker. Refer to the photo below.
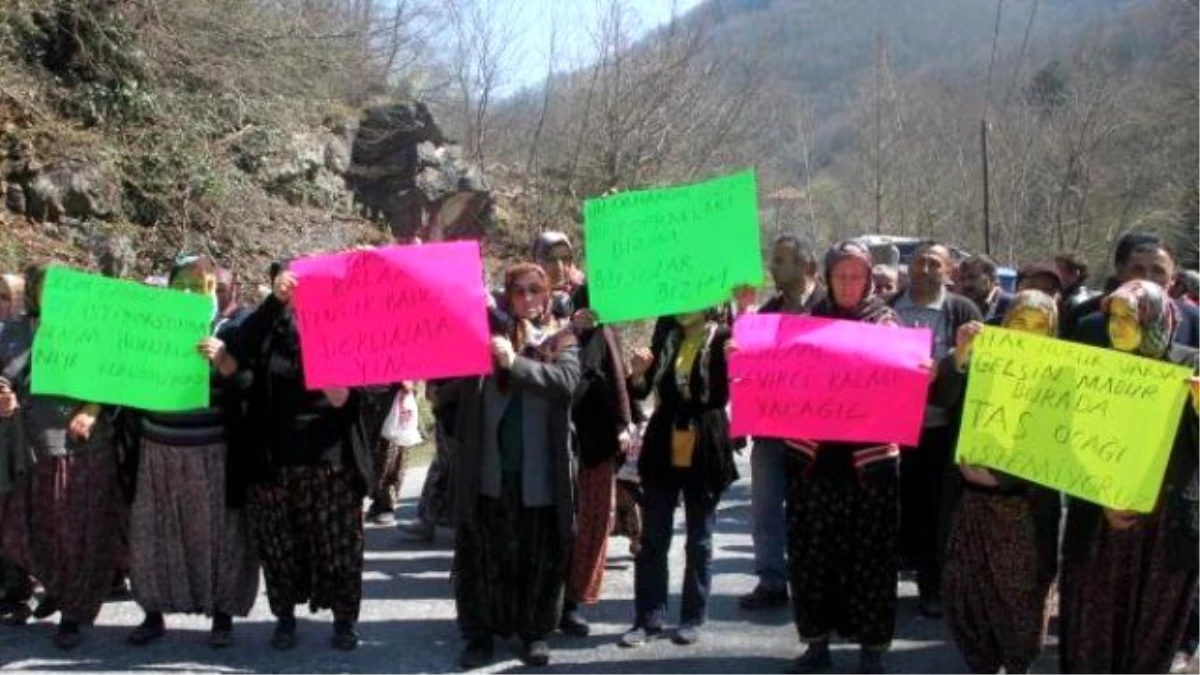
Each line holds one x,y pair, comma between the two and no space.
16,463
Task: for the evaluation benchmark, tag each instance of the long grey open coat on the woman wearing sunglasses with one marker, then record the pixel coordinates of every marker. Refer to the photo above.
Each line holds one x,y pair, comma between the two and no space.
554,383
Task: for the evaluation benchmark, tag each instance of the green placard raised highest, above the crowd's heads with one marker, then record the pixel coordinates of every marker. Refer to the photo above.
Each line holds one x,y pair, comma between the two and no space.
674,250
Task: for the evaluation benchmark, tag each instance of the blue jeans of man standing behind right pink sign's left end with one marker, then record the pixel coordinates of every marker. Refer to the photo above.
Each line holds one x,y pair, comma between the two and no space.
769,512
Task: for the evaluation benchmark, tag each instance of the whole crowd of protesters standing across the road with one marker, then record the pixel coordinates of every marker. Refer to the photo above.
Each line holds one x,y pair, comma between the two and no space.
568,443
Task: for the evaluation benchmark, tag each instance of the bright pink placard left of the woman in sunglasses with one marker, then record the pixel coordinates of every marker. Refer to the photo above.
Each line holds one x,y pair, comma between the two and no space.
400,313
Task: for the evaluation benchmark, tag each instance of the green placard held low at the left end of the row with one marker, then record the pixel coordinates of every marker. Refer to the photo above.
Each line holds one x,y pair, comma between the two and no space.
109,342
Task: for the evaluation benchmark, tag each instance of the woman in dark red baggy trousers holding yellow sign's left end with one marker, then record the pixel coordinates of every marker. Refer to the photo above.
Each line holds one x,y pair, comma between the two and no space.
1001,557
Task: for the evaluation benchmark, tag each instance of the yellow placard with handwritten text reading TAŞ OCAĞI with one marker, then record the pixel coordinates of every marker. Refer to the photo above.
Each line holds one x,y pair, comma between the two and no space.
1094,423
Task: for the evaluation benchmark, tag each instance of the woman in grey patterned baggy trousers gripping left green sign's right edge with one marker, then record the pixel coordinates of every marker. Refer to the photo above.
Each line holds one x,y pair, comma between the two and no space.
190,541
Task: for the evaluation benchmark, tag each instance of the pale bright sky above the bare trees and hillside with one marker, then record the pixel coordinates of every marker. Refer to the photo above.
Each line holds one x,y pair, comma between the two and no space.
574,21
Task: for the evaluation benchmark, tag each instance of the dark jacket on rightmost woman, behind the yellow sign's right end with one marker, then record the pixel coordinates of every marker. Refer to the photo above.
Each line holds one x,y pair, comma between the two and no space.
1180,494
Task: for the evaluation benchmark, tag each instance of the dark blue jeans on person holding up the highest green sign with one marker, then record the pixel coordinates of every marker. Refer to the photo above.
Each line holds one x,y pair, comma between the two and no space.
652,576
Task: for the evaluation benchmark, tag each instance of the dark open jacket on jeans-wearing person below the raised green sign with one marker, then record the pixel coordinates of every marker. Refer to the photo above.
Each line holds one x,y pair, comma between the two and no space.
712,465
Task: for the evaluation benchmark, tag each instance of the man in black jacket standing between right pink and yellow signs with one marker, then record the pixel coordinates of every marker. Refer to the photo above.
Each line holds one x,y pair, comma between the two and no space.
927,470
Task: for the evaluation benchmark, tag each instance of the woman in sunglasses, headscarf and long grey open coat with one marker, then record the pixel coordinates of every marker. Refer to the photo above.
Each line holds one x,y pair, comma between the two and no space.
513,477
